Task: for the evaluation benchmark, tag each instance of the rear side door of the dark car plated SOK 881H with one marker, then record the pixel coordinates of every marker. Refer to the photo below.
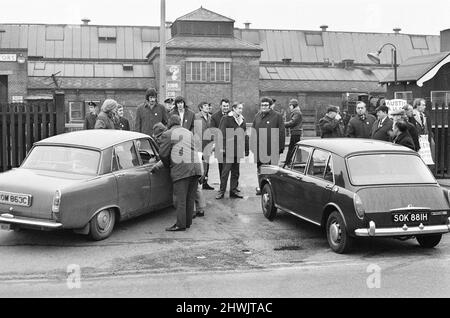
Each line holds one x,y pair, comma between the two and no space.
320,183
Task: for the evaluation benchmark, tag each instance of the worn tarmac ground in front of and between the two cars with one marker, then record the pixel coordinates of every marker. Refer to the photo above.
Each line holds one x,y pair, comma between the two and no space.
231,252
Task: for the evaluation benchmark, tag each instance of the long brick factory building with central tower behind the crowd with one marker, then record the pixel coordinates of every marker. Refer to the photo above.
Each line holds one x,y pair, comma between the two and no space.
208,58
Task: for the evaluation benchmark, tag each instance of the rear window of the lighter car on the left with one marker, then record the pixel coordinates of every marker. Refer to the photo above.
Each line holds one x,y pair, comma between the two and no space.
63,159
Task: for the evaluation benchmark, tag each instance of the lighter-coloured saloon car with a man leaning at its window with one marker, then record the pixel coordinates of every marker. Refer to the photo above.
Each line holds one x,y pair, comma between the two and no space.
86,181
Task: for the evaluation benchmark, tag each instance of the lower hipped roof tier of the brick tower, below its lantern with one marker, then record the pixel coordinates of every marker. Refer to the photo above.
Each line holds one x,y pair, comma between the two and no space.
211,43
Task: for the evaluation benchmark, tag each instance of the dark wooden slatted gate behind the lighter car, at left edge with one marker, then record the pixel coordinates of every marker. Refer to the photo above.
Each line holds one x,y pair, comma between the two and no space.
23,124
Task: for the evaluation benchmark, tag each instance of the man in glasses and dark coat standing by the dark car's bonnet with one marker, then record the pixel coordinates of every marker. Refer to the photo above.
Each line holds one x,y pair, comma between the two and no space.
270,136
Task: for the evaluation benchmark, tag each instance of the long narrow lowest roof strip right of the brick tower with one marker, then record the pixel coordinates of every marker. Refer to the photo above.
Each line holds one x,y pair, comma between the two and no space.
319,86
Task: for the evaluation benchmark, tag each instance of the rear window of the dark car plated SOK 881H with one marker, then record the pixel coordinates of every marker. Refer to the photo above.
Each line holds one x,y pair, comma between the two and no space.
377,169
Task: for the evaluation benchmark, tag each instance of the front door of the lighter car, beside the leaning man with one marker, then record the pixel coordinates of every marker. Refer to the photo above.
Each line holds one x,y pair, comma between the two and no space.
160,192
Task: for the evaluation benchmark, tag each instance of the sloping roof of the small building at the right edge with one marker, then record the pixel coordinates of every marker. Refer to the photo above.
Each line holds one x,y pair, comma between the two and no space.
419,68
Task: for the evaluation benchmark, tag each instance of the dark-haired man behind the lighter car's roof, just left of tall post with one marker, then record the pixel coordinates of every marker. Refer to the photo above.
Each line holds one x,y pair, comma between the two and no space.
150,113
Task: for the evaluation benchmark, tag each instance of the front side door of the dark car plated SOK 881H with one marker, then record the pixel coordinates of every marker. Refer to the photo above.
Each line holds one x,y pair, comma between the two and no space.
291,188
